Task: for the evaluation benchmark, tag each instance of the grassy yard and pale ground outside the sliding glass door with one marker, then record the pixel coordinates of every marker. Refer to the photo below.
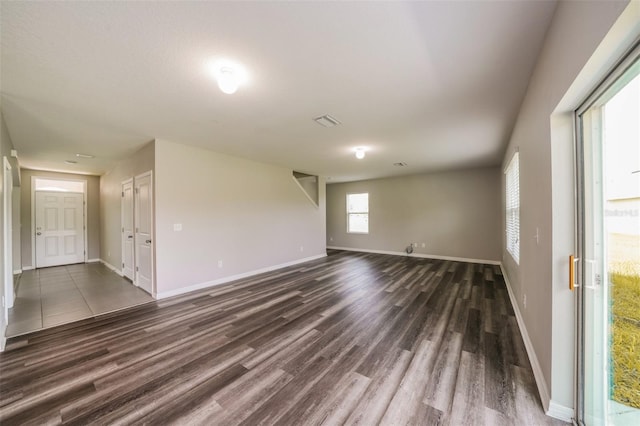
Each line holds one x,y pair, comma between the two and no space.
624,276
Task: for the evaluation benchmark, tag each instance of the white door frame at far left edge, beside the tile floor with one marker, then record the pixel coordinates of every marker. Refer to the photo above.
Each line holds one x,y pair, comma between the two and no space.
7,279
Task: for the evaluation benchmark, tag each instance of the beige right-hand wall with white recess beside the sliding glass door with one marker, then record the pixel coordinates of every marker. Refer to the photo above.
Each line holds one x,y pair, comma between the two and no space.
544,137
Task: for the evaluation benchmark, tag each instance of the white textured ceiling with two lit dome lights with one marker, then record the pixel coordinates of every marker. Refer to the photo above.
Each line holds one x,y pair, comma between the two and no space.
434,84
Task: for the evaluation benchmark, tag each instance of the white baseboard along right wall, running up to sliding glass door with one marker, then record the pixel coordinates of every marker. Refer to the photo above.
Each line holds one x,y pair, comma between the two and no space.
551,408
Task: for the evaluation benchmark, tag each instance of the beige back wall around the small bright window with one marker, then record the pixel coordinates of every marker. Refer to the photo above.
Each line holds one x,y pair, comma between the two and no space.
456,214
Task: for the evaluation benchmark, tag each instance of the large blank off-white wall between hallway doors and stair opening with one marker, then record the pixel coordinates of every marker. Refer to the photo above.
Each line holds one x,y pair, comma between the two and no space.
246,214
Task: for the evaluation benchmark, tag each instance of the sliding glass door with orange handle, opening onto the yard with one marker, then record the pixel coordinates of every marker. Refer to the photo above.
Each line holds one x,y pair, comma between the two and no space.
608,259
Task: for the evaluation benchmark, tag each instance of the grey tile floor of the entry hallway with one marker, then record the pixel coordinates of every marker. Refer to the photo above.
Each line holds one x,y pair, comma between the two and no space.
52,296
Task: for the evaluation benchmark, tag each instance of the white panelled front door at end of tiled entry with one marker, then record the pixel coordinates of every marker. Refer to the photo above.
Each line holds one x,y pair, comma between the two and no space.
59,228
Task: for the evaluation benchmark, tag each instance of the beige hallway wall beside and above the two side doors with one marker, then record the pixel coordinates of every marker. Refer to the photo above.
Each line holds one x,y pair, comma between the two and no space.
110,199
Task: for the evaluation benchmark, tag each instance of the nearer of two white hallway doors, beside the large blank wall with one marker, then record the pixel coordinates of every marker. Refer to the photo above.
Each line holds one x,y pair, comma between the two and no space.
143,213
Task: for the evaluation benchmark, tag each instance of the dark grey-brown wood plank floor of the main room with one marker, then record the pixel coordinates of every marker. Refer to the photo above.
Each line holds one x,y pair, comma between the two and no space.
351,339
